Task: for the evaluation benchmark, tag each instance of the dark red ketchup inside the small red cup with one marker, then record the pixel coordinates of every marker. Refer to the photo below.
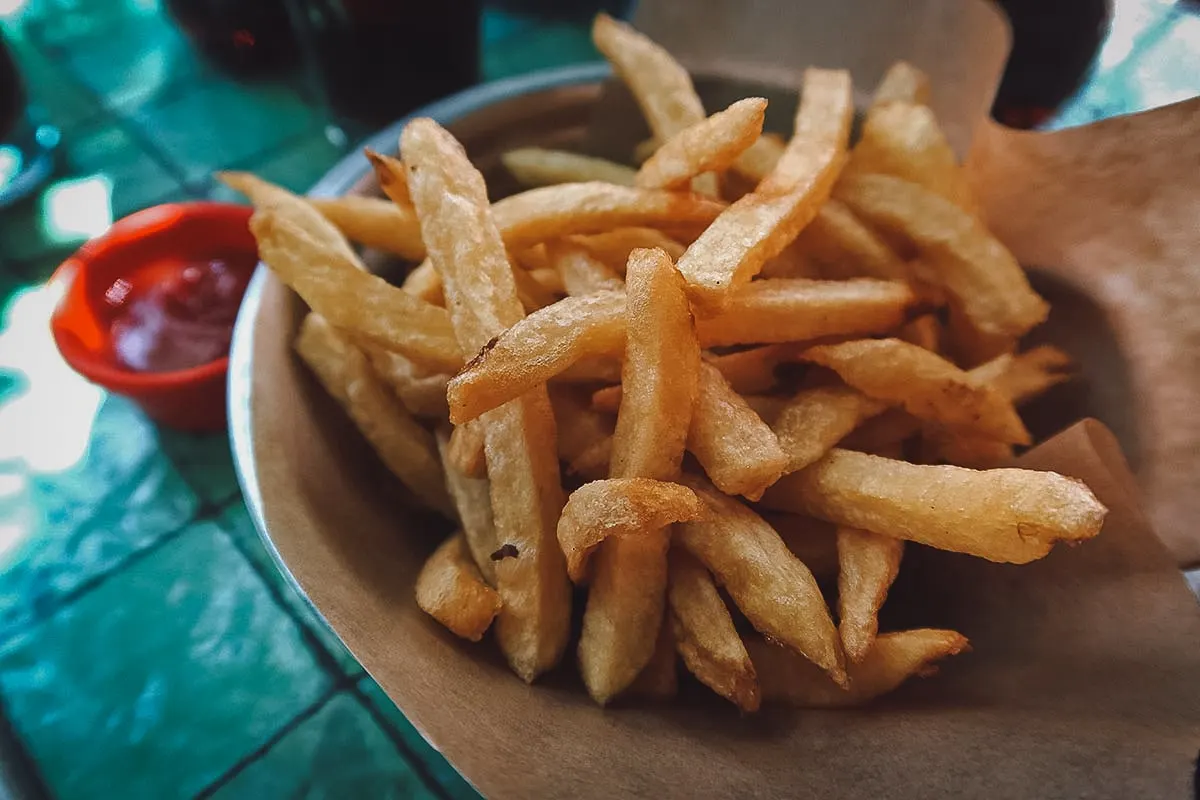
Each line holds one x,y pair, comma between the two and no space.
176,316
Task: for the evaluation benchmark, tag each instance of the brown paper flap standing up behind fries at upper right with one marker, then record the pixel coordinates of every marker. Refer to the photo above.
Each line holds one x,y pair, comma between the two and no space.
1108,215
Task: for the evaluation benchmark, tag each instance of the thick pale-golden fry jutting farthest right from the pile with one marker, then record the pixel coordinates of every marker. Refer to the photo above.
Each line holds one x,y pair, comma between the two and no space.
1003,515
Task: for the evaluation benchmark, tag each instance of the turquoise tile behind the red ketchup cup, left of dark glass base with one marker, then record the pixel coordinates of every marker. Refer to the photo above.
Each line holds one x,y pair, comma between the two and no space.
224,124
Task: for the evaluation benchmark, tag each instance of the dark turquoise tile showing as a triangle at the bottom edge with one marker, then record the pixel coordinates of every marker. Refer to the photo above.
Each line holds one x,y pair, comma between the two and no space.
339,753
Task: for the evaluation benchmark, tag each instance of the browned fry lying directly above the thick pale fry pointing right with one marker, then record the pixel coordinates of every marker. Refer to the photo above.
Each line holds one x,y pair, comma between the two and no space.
928,387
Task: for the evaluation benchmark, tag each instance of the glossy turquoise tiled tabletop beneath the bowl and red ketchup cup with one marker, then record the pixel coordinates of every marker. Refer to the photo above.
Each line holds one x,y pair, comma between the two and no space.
148,646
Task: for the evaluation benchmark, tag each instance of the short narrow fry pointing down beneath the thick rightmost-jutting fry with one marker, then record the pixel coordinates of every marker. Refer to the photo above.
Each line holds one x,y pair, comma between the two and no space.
868,564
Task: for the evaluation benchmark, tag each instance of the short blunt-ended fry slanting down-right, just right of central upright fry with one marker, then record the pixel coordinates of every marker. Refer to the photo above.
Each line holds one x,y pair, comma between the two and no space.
736,448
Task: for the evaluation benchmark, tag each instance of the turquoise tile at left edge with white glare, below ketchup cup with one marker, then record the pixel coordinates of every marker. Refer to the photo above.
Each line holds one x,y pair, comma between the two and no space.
65,526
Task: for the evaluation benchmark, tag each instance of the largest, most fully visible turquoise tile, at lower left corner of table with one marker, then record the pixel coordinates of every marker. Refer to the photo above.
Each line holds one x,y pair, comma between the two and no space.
161,679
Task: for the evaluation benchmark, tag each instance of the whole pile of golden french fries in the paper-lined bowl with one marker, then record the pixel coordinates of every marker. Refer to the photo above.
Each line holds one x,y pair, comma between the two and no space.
757,366
